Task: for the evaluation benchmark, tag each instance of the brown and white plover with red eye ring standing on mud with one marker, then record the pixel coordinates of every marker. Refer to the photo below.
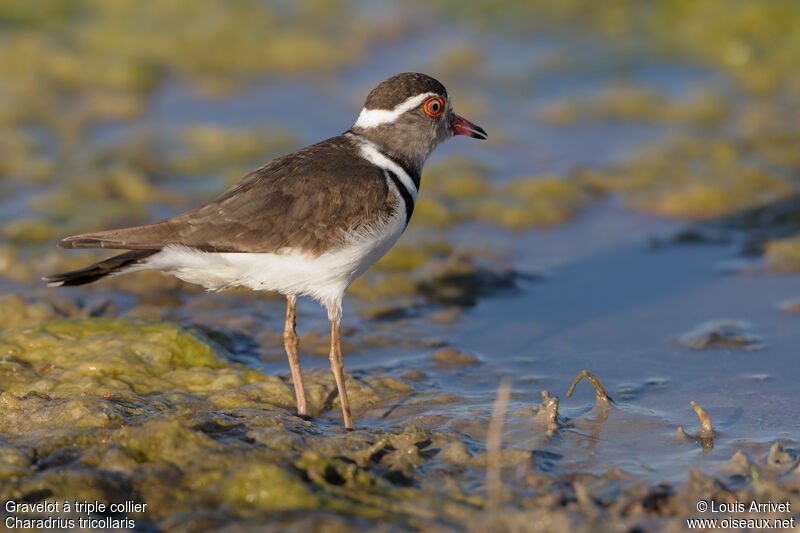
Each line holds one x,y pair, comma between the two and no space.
304,224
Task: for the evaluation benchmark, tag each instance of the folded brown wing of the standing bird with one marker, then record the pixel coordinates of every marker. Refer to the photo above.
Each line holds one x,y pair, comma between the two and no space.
304,200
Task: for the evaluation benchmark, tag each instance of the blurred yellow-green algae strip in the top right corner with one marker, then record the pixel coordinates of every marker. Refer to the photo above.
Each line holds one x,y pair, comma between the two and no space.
752,42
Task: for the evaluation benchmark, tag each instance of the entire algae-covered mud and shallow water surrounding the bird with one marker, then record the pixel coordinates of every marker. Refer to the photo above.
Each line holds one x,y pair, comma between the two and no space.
635,214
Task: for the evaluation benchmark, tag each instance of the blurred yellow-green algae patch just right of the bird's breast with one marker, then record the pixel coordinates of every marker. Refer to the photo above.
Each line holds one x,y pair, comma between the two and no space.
426,267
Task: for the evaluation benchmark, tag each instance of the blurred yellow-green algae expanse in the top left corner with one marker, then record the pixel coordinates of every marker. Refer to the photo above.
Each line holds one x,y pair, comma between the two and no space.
118,54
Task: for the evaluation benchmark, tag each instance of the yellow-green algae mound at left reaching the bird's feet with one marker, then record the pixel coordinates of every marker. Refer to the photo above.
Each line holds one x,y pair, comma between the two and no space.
126,359
